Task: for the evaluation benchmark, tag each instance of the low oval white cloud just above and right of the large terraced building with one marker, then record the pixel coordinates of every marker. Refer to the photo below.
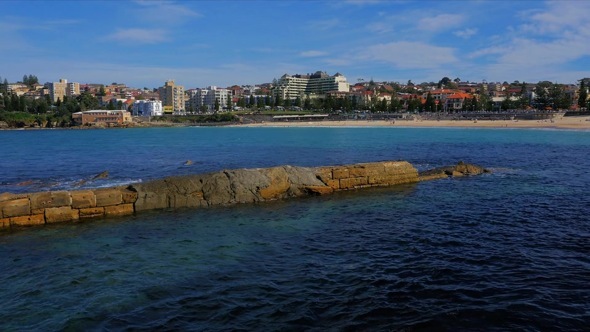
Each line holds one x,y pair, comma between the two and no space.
410,55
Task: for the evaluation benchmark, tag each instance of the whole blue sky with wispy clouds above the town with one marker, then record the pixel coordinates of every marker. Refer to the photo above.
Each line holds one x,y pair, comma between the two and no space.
202,43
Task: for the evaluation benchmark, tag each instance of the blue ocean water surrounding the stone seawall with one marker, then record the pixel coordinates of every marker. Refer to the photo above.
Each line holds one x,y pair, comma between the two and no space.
508,250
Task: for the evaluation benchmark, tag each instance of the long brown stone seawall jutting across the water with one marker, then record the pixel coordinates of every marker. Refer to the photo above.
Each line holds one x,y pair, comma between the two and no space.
202,190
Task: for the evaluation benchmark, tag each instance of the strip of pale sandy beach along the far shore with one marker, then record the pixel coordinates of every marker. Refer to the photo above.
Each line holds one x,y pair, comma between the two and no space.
580,123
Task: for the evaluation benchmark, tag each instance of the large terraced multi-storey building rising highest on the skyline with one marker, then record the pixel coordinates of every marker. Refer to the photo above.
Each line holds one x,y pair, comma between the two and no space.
293,86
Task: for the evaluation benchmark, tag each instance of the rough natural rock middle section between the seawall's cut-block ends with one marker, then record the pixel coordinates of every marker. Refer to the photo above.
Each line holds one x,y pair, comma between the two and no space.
230,187
